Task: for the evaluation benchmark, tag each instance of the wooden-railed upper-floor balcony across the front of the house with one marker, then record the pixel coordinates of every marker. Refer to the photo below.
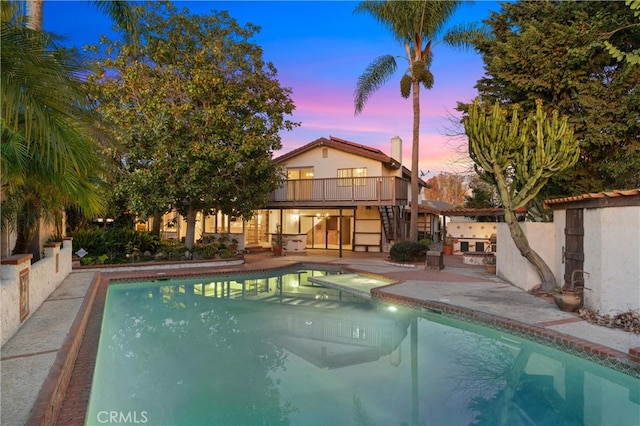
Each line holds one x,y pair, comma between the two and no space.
380,190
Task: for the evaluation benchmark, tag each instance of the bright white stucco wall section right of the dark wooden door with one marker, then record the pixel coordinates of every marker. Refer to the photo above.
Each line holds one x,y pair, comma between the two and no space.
612,259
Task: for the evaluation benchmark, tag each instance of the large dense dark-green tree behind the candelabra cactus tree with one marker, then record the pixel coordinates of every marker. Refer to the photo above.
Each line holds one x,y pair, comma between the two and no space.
555,51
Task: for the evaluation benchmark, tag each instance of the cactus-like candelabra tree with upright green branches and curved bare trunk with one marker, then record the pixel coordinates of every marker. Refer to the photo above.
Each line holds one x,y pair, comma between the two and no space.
520,157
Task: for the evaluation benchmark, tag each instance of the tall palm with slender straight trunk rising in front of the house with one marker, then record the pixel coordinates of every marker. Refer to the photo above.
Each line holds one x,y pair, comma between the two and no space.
415,24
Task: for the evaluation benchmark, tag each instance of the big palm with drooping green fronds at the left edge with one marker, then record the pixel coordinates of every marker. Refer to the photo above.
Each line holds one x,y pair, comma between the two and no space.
48,152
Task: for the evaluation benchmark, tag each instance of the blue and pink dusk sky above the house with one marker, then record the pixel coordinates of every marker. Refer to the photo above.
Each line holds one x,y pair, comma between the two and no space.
320,48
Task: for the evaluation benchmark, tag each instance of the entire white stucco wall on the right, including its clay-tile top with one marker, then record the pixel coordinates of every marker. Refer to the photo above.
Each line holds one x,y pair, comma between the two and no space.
596,233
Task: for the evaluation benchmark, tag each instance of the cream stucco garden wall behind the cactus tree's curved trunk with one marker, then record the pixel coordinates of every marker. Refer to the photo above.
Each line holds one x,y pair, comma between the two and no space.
510,264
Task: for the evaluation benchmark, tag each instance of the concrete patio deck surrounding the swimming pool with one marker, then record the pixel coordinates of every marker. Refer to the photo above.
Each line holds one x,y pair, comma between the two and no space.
33,360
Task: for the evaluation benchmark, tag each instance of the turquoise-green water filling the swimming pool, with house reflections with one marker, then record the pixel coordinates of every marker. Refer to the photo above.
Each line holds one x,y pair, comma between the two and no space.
281,350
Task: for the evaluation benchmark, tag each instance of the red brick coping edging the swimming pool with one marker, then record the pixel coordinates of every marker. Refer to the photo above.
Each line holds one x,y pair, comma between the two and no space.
50,401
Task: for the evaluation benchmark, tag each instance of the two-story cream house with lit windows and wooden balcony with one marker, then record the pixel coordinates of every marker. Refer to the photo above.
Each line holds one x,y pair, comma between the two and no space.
337,195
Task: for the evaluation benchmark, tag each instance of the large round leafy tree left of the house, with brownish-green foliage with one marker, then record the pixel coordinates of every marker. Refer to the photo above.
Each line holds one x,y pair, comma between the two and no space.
198,113
